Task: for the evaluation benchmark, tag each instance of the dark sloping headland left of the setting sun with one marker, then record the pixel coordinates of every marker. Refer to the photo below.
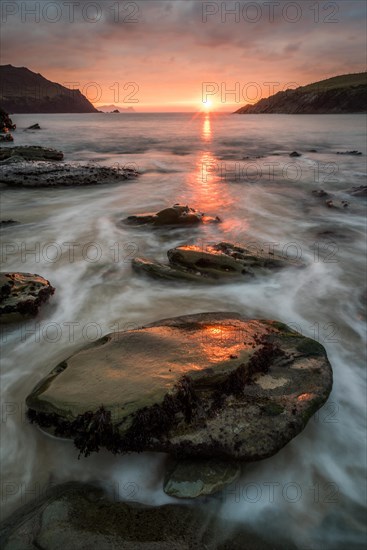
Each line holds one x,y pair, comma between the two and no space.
23,91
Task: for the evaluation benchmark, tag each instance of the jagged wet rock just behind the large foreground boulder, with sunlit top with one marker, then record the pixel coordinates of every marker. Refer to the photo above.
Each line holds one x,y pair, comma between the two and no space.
222,262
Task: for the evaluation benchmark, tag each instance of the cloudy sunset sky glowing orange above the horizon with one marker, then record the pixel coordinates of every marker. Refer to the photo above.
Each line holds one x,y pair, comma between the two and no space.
184,55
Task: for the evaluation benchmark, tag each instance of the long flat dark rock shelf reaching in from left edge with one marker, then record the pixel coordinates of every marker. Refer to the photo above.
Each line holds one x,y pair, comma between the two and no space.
46,174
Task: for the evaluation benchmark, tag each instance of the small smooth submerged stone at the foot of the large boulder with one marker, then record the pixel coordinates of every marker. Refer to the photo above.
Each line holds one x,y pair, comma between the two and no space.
191,478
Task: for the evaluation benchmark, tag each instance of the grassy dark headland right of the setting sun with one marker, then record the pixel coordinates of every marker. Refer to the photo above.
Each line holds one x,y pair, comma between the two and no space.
338,95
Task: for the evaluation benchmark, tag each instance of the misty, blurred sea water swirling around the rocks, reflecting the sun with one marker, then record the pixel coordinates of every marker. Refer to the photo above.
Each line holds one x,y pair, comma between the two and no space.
238,167
